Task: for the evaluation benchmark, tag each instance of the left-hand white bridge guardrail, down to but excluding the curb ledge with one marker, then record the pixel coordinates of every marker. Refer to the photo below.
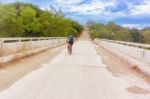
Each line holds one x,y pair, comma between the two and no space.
10,46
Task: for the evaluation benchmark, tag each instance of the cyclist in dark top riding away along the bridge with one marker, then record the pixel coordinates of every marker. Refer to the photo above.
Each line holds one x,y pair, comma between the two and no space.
70,40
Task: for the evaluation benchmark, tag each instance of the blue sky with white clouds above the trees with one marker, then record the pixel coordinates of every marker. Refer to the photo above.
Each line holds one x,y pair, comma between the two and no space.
128,13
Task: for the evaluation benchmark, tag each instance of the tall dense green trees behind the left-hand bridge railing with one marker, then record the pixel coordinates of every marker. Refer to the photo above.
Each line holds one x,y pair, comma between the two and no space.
27,20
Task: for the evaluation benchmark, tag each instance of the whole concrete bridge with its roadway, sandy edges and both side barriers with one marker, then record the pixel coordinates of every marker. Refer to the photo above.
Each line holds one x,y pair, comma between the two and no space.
41,68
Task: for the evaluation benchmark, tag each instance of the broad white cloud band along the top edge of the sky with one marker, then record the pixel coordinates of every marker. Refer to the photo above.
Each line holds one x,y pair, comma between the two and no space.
99,7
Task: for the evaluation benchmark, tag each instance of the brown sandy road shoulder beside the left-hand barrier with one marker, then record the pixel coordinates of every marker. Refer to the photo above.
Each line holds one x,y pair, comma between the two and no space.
13,71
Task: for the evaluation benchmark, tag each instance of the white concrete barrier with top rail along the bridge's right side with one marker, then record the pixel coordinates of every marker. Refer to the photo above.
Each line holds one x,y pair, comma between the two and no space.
137,51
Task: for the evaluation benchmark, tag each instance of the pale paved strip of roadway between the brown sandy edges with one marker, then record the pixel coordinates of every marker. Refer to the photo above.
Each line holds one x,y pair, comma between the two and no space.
81,75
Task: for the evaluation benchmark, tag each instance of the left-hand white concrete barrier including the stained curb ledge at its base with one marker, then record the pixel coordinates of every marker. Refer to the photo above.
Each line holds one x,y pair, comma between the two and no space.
12,48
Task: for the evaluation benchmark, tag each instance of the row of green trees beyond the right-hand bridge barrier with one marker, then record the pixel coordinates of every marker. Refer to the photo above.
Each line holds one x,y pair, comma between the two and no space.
116,32
